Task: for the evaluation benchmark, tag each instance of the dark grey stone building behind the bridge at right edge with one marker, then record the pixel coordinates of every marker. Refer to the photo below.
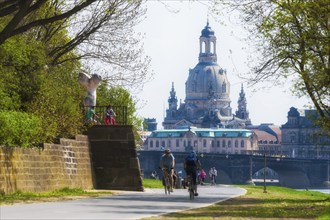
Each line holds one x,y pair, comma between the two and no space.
302,138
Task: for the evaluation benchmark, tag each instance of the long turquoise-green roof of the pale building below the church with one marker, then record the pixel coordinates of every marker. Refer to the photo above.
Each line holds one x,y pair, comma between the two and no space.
202,132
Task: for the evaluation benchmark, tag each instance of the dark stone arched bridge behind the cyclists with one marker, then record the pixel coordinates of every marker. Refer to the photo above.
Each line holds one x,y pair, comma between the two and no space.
239,169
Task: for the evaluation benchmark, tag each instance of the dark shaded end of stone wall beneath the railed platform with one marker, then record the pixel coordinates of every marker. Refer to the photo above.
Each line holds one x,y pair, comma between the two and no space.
115,161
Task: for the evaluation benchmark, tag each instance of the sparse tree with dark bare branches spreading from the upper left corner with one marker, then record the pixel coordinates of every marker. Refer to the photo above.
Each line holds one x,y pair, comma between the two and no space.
101,34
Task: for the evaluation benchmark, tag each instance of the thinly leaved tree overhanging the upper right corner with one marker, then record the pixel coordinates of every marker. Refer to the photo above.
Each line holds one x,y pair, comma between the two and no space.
293,39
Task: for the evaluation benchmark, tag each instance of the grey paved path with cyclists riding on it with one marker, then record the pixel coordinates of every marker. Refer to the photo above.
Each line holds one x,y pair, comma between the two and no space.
124,205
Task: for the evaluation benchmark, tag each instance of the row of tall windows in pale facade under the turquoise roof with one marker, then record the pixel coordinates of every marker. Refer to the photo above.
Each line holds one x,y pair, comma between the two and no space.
188,143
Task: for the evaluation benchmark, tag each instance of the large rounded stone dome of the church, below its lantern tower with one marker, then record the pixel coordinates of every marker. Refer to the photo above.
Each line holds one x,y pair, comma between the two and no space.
205,81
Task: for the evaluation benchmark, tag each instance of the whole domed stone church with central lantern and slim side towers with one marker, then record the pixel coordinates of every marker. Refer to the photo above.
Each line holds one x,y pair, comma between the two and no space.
207,102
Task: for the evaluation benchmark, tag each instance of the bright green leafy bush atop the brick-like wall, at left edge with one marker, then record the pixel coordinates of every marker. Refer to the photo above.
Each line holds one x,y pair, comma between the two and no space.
19,129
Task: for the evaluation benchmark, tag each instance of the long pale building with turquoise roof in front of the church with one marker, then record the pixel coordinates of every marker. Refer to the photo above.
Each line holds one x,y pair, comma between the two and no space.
203,140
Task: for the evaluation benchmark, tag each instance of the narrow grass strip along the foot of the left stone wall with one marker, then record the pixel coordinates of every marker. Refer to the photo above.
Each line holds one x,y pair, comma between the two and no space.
61,194
